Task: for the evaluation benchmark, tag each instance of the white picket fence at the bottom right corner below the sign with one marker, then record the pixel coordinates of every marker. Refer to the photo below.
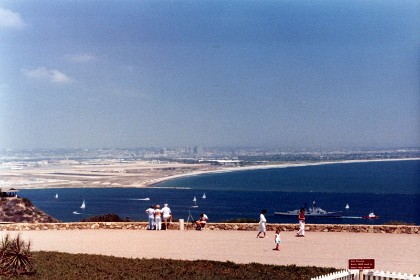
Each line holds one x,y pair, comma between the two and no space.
367,275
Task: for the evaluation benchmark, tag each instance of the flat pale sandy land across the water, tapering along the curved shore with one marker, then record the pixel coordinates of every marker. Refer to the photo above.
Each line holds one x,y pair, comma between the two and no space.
112,173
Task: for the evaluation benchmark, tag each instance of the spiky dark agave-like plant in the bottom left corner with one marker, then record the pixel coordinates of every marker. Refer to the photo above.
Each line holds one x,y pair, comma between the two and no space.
15,256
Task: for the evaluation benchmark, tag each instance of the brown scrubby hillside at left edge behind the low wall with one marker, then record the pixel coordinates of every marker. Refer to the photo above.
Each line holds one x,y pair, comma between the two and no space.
21,210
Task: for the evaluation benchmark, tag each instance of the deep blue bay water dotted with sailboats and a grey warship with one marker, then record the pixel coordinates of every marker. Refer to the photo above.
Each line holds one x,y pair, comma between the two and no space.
389,189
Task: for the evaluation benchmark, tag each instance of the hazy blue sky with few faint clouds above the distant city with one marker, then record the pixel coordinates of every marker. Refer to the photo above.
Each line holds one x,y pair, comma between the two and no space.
302,74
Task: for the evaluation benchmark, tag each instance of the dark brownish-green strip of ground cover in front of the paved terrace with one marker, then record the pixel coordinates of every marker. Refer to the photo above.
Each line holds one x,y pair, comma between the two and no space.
54,265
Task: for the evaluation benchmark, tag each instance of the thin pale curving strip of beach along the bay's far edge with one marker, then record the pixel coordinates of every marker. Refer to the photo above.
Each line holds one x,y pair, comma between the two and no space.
153,182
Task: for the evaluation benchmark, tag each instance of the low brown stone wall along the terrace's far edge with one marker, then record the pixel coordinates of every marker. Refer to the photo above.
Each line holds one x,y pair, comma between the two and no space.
398,229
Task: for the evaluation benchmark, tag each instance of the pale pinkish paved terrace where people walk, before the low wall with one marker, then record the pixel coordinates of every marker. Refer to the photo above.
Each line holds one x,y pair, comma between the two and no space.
392,252
